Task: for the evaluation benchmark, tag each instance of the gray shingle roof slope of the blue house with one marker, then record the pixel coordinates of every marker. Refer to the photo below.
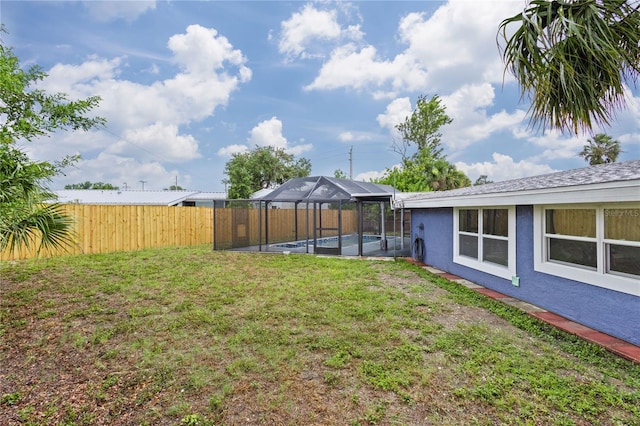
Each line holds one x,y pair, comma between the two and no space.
602,173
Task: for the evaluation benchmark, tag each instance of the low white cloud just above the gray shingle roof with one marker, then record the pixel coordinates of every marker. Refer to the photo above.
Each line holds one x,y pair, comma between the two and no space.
503,168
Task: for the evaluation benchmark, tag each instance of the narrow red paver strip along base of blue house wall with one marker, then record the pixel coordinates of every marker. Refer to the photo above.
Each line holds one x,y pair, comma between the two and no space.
613,344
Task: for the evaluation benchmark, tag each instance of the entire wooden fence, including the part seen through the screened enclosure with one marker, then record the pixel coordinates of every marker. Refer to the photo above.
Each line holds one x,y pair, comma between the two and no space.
109,228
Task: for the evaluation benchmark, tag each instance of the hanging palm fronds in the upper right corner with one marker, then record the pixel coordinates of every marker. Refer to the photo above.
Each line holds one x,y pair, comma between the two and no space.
574,59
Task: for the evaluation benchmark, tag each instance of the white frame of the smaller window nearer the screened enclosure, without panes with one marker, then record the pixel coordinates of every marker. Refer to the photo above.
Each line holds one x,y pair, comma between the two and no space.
506,272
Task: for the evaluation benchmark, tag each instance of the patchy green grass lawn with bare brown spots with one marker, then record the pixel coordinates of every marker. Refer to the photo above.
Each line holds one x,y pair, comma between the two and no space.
193,337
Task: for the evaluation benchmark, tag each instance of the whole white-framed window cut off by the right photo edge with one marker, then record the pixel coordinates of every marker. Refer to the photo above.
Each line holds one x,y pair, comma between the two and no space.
599,245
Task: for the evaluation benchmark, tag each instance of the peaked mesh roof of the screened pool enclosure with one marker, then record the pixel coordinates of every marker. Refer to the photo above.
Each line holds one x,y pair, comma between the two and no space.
323,188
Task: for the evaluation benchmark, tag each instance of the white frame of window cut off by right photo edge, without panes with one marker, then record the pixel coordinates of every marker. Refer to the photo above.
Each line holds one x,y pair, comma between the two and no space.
600,277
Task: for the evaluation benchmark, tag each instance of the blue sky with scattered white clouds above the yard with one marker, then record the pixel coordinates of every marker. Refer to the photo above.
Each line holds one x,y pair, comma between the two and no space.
186,84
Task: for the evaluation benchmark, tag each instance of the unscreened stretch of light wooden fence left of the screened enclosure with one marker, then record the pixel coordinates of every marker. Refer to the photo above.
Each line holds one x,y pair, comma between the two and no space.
107,228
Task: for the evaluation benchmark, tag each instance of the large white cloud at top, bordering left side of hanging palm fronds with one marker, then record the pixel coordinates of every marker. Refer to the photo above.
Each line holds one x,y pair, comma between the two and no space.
455,45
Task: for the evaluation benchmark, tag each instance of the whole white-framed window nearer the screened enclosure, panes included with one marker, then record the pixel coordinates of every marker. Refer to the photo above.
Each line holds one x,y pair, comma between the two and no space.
485,240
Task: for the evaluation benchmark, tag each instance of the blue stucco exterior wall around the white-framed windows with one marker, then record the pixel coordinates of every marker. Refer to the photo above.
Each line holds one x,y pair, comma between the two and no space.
608,311
